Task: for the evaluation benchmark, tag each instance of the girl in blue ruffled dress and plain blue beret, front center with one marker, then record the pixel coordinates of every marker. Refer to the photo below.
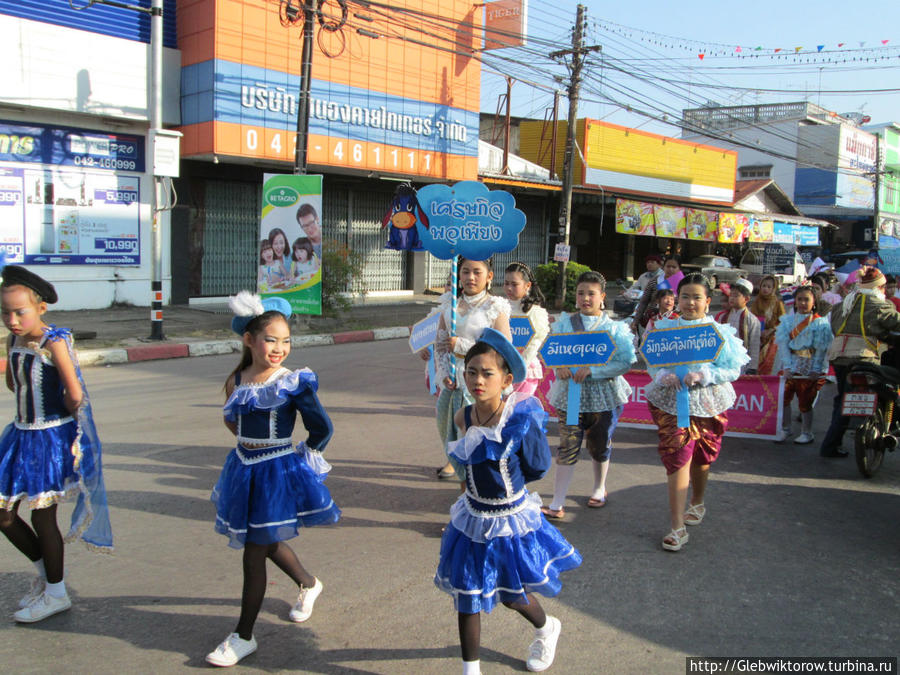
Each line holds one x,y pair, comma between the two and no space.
498,547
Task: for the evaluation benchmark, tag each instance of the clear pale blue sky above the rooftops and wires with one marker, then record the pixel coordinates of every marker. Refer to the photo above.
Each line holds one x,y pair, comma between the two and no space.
650,58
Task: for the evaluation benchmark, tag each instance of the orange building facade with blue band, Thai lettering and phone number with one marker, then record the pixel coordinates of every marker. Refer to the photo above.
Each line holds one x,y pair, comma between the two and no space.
401,99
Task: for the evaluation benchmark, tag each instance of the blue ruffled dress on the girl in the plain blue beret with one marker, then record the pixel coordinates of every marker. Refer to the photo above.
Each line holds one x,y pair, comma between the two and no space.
498,545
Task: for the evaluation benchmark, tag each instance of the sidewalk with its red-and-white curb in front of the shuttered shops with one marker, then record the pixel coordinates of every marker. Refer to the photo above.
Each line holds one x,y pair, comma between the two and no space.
120,334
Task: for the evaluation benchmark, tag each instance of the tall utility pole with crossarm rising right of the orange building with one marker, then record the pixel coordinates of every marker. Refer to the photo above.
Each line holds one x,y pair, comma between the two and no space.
565,206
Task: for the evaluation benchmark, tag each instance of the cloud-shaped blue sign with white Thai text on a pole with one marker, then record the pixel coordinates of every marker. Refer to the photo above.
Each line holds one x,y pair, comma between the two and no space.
468,219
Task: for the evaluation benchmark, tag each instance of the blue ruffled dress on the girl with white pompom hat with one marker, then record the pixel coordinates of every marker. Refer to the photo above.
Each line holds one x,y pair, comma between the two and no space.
268,488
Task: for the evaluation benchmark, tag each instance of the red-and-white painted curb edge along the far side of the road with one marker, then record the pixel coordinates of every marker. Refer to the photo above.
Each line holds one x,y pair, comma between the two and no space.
177,350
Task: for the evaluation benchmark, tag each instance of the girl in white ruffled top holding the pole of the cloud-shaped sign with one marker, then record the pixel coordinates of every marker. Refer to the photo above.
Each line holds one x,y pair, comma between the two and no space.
477,310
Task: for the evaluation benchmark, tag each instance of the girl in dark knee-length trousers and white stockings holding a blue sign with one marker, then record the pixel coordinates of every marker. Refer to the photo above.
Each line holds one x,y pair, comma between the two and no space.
604,393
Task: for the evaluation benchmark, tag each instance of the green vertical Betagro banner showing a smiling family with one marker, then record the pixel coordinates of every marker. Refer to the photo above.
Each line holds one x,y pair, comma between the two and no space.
290,246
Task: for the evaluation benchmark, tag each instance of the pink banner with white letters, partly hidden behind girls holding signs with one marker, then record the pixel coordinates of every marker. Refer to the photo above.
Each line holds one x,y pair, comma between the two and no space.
755,414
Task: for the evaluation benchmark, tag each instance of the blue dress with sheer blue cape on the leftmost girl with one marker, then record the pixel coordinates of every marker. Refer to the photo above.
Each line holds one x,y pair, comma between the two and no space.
47,453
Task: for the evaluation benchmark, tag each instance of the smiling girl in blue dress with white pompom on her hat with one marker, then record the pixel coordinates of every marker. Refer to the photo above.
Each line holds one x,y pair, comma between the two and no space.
268,488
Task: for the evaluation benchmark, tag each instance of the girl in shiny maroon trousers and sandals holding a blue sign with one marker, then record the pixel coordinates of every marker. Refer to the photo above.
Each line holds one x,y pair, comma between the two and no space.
687,452
